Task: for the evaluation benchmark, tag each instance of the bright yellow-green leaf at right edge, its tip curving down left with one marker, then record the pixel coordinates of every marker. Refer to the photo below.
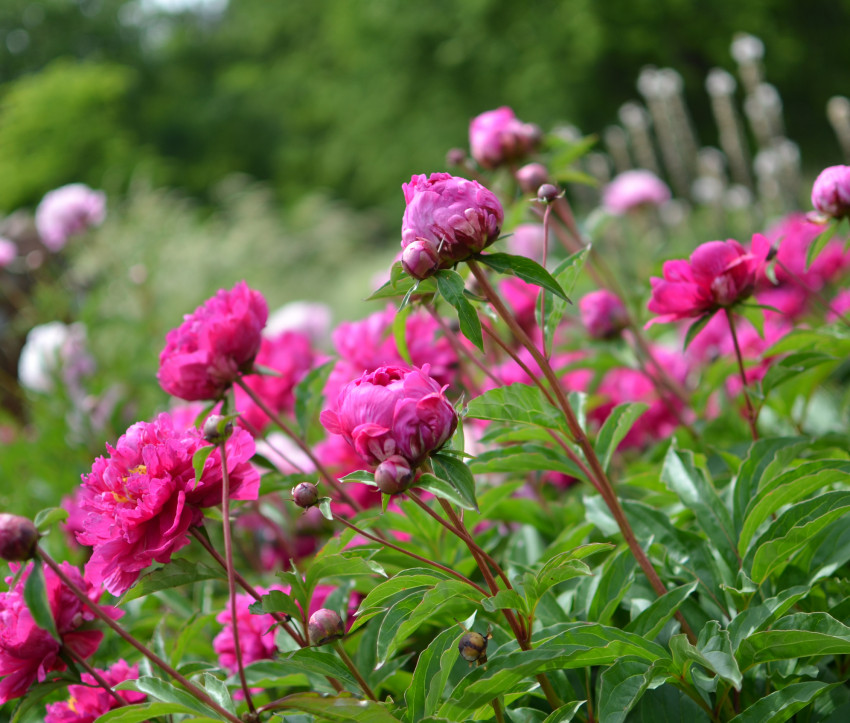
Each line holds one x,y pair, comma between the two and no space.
792,531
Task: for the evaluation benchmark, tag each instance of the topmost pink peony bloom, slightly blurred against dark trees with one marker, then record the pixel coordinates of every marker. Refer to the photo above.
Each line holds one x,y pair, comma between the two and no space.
498,136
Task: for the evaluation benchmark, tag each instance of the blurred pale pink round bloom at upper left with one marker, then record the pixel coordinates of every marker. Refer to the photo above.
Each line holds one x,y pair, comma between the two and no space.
67,211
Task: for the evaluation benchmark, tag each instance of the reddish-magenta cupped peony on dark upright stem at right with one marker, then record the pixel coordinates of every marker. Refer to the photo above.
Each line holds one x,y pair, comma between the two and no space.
719,274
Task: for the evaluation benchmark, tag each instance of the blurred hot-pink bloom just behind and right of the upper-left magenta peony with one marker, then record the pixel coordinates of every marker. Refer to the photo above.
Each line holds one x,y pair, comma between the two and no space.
291,355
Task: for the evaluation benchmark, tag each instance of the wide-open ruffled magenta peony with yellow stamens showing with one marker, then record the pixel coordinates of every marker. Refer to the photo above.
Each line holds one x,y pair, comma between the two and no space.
142,499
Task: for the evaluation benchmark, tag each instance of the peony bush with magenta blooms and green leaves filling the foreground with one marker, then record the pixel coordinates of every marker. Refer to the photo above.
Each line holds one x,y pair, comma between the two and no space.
534,485
